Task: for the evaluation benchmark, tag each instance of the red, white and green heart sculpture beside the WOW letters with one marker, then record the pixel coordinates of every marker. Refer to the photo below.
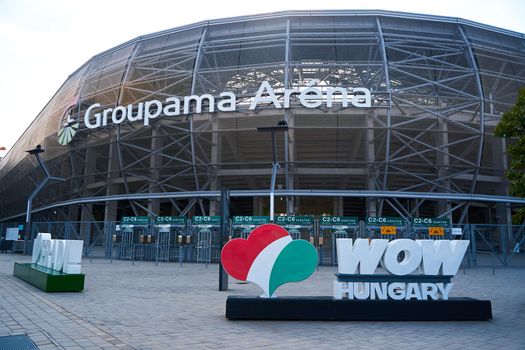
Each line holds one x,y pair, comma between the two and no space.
269,258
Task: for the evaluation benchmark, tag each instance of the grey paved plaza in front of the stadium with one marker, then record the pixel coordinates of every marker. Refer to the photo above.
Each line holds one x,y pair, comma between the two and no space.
144,306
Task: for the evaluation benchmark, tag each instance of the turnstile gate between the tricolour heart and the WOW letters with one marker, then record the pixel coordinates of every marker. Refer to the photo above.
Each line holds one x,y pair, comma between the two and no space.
331,228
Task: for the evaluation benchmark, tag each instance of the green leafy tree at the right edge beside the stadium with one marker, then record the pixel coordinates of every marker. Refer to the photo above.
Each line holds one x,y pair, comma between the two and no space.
512,125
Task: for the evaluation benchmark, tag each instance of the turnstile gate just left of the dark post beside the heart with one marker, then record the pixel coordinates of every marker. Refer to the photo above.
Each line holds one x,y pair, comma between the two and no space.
205,238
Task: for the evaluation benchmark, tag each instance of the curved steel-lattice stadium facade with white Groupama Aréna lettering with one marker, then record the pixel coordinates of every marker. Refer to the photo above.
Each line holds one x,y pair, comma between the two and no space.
389,114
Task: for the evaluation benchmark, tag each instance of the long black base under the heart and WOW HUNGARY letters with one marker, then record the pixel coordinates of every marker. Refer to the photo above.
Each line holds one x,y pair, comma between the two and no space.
329,309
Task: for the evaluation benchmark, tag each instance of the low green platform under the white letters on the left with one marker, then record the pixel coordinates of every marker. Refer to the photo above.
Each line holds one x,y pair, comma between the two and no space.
49,280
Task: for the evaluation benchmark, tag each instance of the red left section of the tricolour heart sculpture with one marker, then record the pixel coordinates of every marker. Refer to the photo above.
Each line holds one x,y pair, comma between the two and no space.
238,254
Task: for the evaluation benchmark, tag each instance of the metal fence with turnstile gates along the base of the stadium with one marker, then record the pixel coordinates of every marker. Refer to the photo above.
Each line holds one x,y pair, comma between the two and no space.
490,245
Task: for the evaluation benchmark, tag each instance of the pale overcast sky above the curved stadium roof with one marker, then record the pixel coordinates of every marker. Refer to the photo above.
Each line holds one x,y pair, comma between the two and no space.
43,41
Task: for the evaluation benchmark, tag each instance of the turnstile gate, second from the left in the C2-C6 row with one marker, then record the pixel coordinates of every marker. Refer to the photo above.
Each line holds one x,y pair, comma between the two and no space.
167,230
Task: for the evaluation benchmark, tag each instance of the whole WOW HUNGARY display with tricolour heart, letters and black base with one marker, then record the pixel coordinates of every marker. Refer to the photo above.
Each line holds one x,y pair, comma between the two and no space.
412,284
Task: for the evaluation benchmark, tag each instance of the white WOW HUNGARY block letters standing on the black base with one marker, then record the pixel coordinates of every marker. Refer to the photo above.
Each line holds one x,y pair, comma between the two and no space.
423,272
